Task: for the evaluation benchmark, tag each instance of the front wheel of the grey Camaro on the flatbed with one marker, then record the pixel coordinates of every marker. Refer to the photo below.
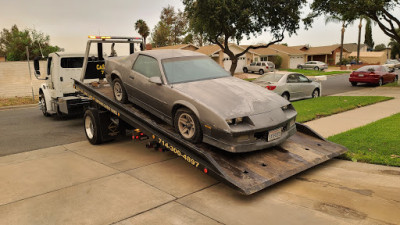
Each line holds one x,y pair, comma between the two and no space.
187,125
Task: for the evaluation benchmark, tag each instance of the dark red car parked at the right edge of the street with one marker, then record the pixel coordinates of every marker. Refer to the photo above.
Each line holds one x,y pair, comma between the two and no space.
373,75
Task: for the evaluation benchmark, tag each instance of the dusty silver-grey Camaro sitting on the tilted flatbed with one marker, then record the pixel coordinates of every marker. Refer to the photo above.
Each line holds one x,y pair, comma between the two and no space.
201,100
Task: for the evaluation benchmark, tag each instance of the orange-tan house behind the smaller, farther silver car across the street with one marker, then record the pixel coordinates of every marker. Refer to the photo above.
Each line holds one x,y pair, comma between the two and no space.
329,54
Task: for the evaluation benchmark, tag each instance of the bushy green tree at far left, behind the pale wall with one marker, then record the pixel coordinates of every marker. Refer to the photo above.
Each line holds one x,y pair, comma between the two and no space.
13,43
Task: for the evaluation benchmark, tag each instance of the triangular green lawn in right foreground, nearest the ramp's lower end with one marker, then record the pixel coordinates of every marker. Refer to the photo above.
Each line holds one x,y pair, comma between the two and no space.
376,143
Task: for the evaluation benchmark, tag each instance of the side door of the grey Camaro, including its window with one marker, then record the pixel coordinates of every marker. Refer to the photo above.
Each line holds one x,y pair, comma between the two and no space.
147,94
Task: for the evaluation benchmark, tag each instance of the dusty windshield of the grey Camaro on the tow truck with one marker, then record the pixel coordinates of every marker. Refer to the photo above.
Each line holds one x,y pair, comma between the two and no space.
188,69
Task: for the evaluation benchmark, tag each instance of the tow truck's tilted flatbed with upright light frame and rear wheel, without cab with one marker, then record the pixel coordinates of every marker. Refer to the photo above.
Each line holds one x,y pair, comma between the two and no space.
247,172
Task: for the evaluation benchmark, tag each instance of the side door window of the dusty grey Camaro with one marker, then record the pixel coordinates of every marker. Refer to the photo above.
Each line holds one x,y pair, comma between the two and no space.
147,66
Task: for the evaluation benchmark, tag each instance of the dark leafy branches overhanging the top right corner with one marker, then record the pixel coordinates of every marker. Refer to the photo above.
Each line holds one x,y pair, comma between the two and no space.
380,11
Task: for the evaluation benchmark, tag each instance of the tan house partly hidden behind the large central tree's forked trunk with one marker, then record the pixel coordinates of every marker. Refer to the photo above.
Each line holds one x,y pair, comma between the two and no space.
215,52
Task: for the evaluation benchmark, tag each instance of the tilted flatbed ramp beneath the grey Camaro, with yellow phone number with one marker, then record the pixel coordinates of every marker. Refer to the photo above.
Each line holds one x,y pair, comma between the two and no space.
247,172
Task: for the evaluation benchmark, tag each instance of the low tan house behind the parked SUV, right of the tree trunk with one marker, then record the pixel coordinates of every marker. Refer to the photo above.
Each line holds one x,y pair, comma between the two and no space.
291,57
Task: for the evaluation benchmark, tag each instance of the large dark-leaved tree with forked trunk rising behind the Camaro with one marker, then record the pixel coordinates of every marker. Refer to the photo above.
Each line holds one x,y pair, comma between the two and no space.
230,19
